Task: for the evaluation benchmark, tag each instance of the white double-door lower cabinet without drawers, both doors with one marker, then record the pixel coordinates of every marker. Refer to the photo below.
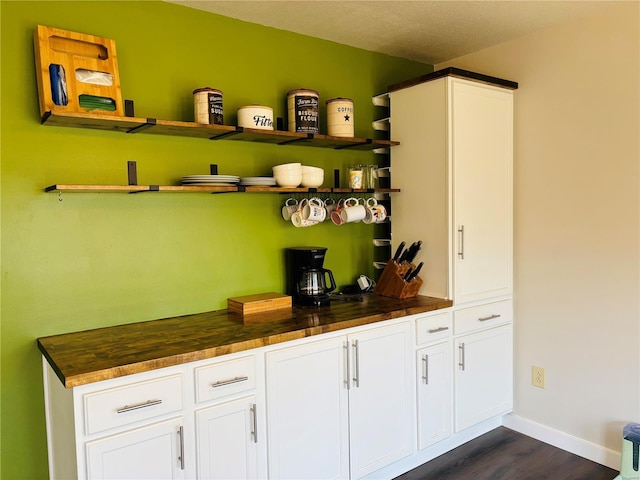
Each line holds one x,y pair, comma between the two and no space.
341,407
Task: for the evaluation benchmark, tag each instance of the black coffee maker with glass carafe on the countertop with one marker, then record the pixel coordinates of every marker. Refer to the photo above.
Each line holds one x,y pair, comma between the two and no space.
306,277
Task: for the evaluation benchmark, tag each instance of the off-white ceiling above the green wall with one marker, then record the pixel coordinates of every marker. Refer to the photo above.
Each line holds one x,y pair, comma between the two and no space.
423,30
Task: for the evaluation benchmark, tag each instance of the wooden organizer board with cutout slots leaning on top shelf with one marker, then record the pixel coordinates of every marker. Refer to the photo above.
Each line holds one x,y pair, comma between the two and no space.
74,51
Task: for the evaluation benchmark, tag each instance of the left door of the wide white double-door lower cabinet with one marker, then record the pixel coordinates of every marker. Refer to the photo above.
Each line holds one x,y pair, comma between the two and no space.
307,417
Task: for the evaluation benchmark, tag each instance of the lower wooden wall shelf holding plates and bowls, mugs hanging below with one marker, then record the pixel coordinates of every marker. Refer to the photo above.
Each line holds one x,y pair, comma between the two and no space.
67,188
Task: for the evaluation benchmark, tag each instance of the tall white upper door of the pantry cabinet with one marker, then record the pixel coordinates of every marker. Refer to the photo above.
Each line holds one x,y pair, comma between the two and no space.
482,154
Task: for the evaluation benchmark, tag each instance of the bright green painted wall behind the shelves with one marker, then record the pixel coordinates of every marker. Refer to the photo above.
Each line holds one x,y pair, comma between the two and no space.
82,261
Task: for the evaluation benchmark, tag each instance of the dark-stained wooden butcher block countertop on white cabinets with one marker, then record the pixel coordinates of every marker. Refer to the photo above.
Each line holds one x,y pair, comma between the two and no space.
94,355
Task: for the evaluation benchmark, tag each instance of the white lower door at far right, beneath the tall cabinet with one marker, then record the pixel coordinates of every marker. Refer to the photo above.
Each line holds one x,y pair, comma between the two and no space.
483,379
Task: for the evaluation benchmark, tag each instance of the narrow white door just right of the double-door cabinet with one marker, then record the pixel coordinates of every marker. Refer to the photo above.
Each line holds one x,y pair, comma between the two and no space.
434,394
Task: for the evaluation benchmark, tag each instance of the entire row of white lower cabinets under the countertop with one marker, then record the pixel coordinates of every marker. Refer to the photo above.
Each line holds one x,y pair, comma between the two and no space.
344,405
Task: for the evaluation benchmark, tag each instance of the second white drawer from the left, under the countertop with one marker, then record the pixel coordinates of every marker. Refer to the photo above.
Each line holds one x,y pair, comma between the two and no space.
225,378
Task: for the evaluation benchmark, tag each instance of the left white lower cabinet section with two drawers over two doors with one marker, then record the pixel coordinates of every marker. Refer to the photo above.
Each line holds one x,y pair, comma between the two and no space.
195,421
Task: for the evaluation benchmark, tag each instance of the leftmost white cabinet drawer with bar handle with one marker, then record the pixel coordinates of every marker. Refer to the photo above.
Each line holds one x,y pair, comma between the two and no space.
133,402
